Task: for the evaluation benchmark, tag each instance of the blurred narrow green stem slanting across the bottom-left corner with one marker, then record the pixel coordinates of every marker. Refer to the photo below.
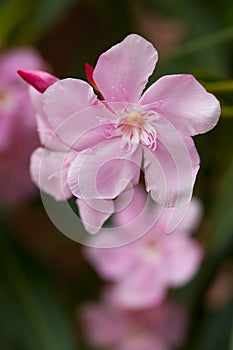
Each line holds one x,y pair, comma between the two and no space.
23,290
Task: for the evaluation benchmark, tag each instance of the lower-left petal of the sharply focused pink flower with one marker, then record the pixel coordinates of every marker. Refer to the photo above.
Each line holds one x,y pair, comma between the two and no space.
104,172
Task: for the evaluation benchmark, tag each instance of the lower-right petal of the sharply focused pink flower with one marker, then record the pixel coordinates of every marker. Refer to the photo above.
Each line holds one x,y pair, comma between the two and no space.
171,169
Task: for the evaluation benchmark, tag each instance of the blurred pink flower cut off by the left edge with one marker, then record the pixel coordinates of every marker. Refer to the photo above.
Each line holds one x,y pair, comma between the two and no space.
18,136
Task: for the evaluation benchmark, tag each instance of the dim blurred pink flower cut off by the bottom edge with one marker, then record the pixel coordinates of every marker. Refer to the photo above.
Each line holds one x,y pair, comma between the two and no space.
106,326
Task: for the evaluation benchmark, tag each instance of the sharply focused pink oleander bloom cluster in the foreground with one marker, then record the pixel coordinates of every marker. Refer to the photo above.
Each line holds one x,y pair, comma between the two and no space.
113,137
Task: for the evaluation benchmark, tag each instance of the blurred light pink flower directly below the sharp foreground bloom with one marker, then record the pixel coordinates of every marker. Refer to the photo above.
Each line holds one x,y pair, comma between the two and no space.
143,271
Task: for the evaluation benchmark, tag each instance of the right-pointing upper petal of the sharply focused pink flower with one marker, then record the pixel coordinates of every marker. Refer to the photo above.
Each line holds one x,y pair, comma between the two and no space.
184,102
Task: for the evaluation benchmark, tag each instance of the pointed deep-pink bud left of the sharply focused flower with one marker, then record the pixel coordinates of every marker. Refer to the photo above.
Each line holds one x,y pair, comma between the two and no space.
40,80
